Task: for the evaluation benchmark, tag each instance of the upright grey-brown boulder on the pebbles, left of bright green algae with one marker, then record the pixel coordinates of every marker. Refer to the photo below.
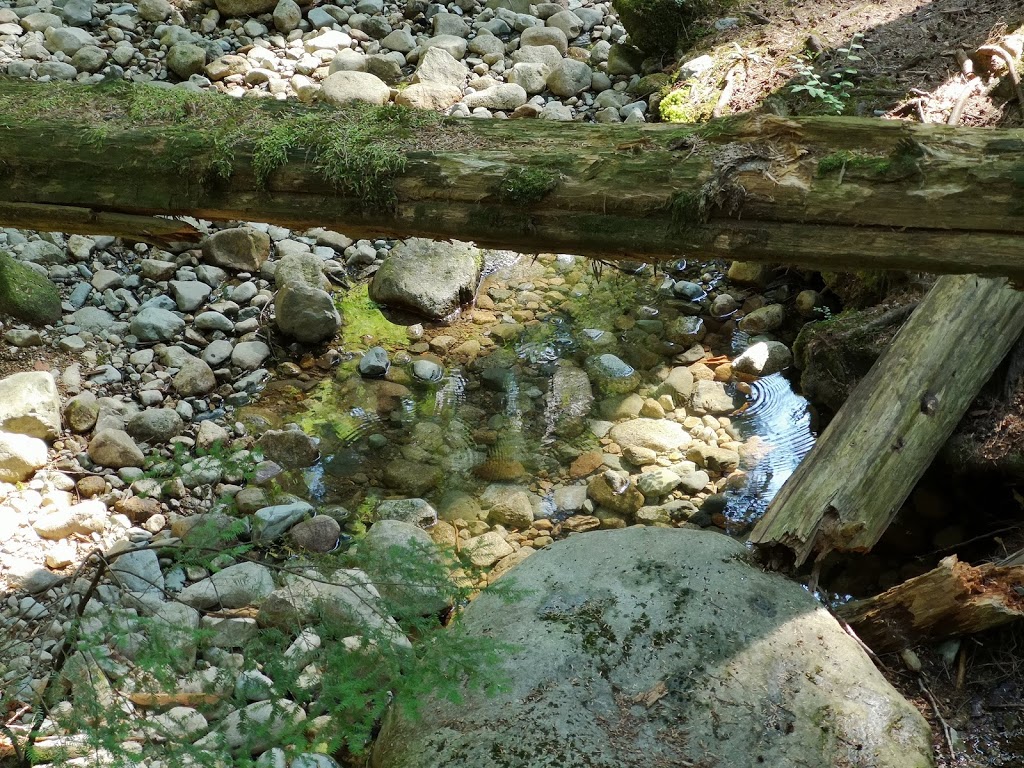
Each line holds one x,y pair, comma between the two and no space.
304,310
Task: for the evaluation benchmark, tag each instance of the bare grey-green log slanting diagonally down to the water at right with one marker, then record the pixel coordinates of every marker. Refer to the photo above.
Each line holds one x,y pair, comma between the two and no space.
865,465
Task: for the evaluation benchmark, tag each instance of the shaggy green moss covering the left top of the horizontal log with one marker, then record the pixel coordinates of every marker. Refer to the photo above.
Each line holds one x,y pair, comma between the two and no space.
359,149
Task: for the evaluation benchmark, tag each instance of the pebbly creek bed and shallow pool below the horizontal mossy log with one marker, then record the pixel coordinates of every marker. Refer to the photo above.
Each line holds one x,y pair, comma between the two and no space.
559,402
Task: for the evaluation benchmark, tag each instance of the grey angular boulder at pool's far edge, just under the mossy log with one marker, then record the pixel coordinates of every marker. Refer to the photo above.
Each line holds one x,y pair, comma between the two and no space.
428,277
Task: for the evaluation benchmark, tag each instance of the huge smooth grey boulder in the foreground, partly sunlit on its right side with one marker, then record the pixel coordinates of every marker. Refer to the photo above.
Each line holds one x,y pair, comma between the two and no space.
652,647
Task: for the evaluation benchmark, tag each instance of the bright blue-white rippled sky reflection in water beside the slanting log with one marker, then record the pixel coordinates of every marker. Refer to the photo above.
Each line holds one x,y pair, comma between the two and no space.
779,424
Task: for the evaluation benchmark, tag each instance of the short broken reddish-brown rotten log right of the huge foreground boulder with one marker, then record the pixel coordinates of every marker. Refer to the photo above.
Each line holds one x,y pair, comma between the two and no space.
954,600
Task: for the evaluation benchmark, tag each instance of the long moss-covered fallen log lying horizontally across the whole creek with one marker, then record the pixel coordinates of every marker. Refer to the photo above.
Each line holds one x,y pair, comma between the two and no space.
827,193
